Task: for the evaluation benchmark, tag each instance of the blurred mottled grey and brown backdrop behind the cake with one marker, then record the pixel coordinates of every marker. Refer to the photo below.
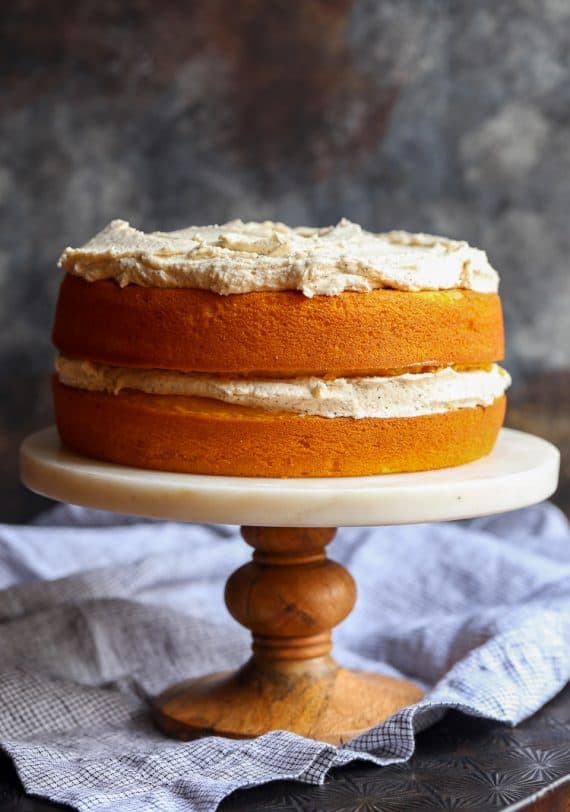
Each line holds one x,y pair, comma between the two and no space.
449,116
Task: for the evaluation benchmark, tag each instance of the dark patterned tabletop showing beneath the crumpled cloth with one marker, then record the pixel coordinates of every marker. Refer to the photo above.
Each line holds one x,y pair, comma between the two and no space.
460,763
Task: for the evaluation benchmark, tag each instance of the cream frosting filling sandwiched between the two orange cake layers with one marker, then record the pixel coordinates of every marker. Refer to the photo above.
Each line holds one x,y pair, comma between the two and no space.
407,395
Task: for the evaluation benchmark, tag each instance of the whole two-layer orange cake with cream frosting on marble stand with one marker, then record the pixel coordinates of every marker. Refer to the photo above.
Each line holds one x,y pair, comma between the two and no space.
255,349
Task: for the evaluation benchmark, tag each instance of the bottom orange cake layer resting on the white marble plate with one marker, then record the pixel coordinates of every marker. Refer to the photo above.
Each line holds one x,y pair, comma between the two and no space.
202,436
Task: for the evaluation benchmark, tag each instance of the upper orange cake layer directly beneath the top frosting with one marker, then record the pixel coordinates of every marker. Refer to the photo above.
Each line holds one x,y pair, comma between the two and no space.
279,334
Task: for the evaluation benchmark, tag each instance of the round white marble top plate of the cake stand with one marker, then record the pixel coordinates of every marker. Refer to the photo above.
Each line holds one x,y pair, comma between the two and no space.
522,470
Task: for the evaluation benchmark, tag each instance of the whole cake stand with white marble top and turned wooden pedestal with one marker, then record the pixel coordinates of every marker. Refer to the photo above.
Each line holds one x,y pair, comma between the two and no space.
290,595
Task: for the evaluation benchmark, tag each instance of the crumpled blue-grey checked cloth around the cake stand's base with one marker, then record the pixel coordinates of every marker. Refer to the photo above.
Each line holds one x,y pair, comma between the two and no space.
98,612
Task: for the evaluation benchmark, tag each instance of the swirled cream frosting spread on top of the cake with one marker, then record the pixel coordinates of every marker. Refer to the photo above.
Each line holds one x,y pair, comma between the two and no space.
243,257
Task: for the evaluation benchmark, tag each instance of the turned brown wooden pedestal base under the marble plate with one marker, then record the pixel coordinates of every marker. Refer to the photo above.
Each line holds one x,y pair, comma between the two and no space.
290,596
